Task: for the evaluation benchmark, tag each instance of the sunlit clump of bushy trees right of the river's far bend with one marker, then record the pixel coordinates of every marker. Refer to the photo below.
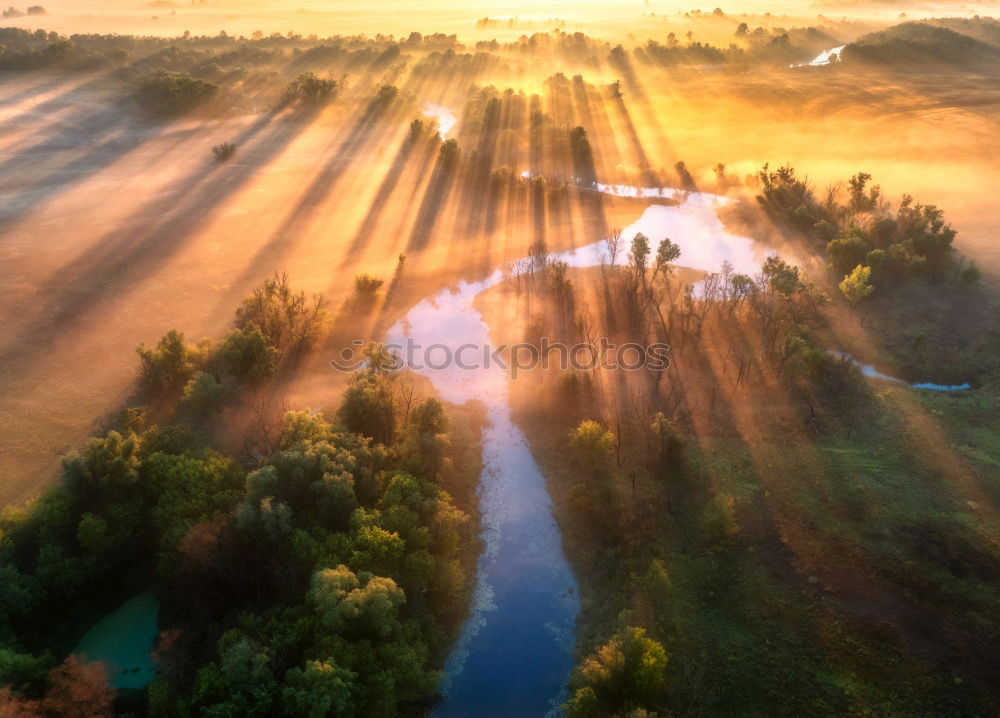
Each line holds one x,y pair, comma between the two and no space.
896,263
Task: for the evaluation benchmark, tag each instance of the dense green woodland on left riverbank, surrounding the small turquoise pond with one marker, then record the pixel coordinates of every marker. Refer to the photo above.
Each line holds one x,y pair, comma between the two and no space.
327,577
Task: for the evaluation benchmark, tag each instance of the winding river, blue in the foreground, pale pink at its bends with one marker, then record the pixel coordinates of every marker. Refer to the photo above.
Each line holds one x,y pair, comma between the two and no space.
515,651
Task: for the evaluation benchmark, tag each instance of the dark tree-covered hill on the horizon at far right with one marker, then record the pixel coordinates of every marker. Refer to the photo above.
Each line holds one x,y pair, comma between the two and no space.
920,43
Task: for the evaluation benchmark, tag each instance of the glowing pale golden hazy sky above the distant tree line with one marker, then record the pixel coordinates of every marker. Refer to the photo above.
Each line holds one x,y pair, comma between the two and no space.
323,17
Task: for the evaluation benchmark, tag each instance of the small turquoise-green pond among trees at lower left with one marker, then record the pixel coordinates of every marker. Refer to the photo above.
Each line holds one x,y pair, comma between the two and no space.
123,640
